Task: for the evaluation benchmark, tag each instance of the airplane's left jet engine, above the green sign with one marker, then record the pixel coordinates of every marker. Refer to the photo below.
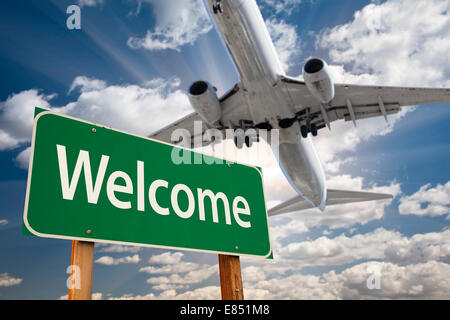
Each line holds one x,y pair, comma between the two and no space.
204,100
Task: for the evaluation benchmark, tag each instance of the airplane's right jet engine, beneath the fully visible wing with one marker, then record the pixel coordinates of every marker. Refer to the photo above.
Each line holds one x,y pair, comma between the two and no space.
318,80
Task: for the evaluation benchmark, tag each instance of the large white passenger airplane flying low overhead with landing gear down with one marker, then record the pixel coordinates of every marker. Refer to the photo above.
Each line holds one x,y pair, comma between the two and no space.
265,98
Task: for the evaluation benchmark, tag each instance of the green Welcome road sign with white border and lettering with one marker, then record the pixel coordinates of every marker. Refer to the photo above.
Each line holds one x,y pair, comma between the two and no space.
90,182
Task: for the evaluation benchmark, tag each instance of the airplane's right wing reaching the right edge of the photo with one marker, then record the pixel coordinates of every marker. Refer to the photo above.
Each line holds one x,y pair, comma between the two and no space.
354,102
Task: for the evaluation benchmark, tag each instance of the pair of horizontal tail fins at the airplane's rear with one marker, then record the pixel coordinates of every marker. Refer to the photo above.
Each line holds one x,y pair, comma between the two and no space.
333,197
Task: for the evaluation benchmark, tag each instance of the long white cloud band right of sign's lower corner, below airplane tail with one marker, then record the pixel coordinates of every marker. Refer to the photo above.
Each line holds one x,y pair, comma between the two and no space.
380,244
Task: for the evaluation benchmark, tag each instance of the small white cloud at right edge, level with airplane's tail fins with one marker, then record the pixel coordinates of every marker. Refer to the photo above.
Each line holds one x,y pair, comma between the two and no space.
427,201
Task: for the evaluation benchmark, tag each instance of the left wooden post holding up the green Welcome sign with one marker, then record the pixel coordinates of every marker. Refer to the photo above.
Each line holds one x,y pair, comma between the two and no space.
82,263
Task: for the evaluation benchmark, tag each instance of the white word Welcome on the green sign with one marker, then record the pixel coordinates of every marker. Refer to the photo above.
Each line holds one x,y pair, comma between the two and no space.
93,188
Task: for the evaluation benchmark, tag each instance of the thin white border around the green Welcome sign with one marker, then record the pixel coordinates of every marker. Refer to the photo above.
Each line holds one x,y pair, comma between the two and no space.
52,236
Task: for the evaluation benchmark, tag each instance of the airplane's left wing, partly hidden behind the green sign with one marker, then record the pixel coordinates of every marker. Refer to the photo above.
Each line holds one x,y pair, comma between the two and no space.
234,109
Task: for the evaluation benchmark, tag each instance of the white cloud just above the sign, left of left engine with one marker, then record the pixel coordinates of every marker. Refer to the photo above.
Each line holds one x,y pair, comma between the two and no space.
138,109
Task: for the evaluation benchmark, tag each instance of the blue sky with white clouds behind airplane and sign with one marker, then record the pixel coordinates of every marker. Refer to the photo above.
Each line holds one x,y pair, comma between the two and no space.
316,255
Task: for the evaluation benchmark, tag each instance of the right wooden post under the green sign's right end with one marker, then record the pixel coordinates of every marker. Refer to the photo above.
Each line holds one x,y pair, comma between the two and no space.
230,277
